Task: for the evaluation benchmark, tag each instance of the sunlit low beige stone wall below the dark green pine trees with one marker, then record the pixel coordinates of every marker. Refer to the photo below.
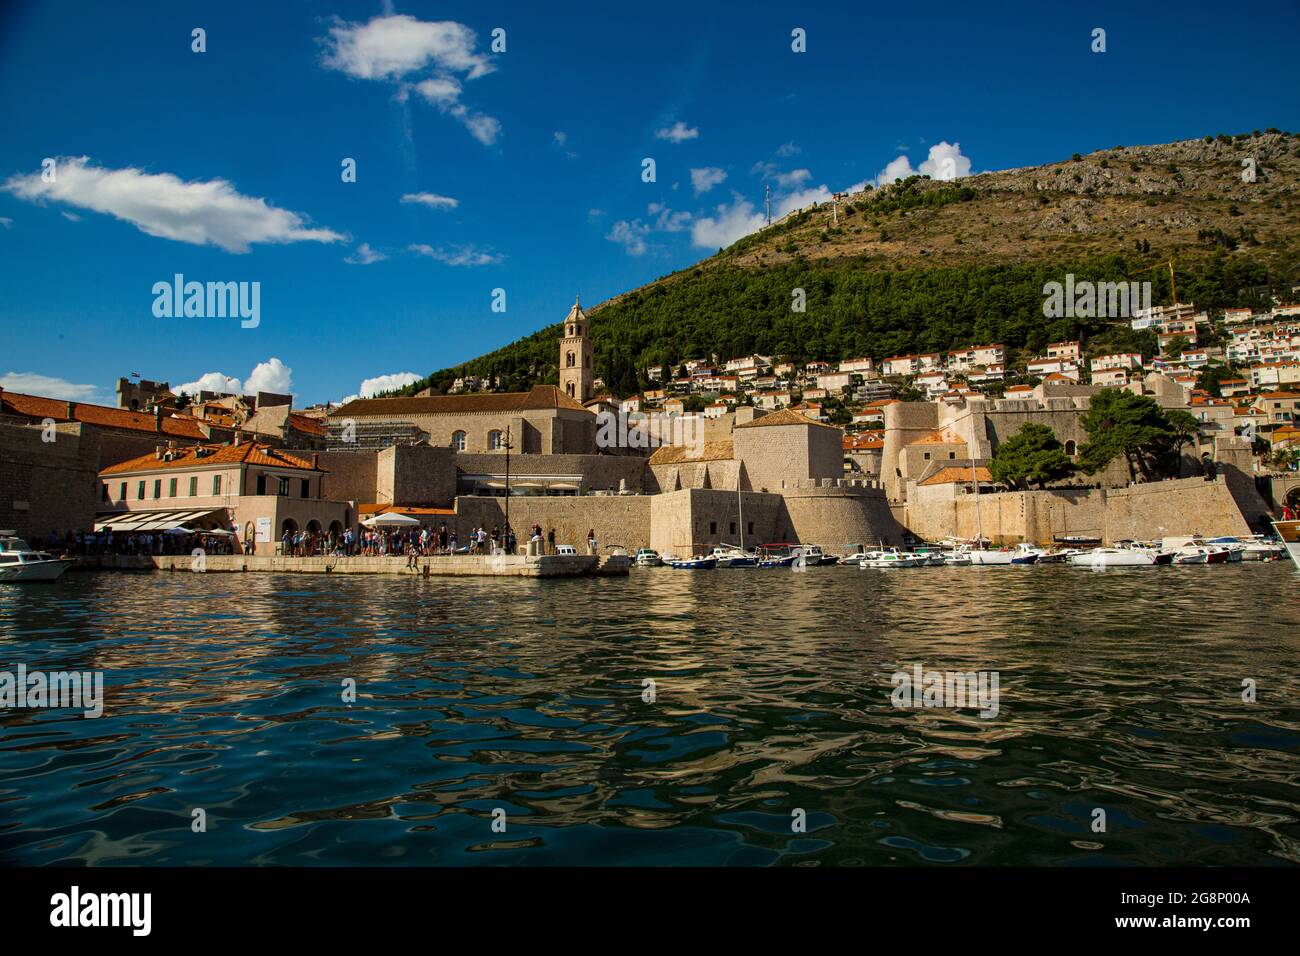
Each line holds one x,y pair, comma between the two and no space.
1142,512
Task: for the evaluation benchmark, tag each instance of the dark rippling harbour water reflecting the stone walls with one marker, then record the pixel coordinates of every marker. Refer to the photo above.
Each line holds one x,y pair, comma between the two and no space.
1120,690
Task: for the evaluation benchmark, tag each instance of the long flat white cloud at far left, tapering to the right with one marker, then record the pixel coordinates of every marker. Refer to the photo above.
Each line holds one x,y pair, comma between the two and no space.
205,214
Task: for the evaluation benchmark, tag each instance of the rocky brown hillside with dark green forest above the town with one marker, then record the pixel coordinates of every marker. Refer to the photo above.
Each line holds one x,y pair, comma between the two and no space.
928,266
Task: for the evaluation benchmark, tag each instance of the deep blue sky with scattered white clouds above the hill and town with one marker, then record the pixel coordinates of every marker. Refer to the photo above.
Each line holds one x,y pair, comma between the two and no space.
226,166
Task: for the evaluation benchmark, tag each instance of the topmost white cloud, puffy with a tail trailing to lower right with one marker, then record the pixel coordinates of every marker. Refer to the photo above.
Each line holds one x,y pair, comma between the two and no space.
397,47
